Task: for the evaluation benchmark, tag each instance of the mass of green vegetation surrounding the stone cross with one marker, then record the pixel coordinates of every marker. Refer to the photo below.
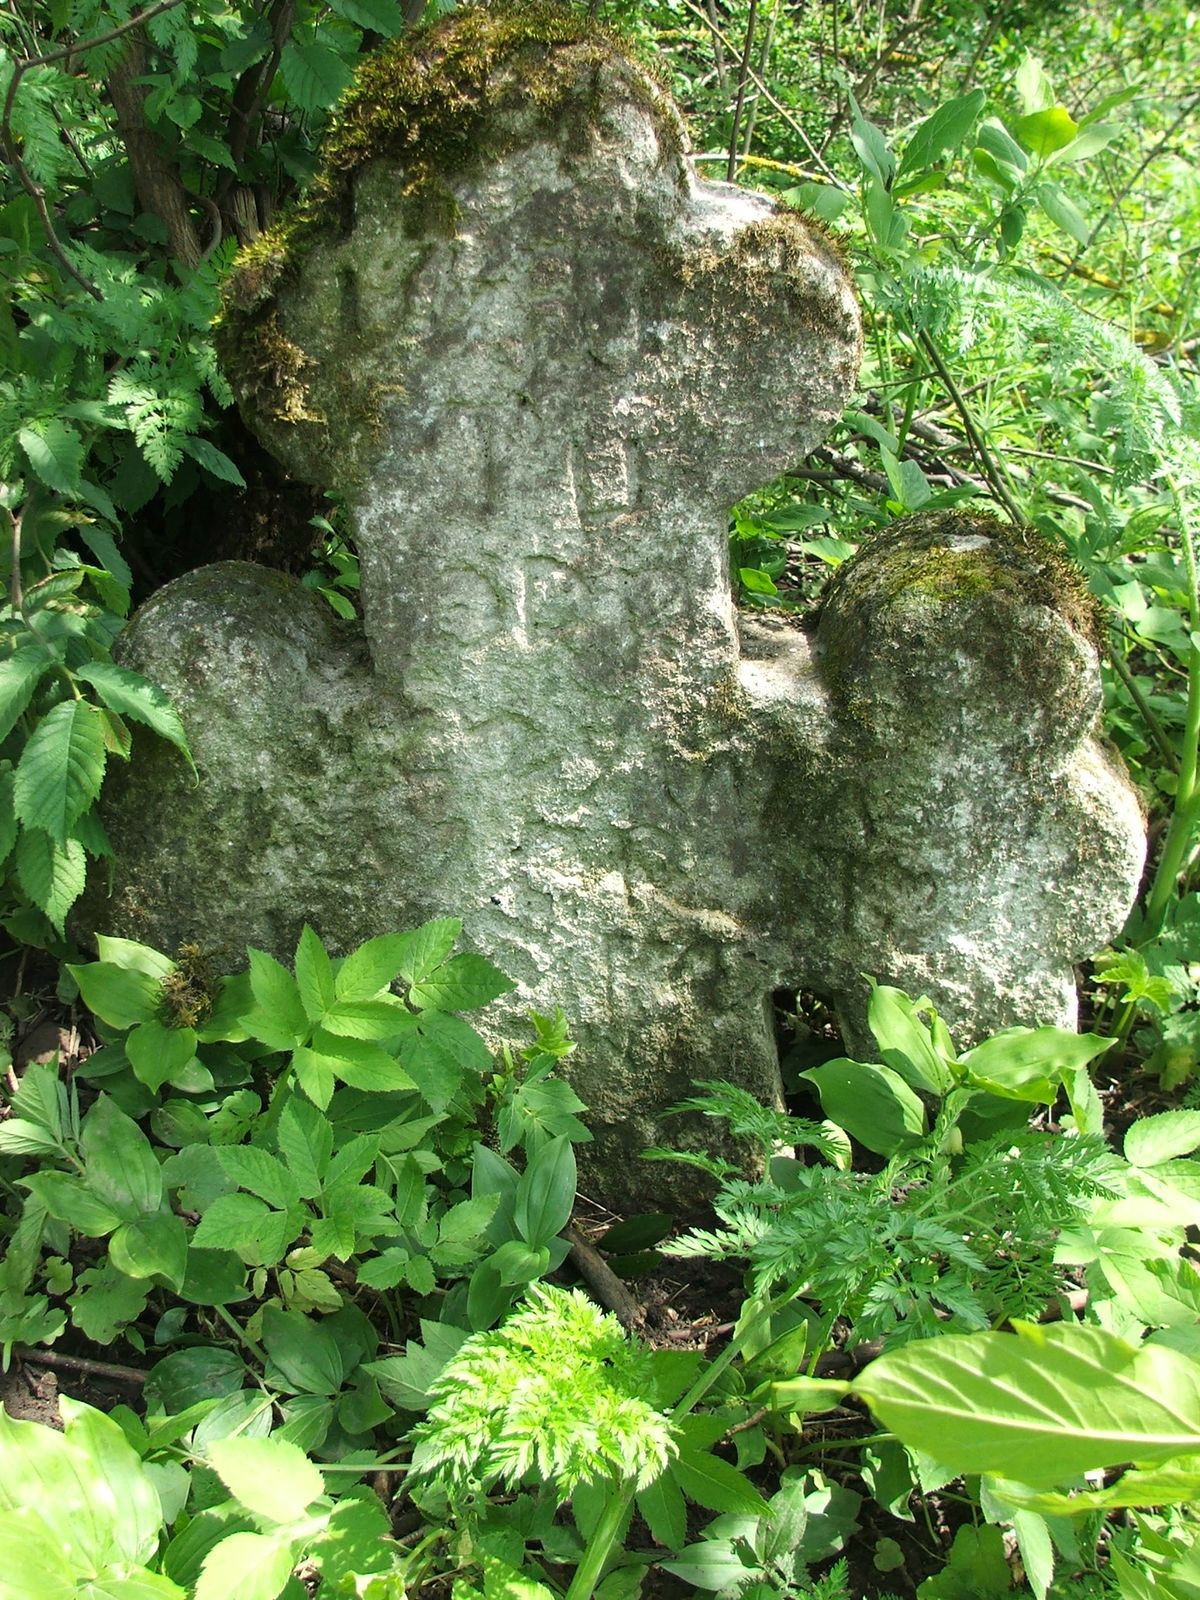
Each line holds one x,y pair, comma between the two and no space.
306,1202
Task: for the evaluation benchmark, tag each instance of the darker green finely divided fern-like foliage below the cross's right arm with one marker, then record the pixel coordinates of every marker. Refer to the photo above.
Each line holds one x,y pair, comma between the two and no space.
929,1246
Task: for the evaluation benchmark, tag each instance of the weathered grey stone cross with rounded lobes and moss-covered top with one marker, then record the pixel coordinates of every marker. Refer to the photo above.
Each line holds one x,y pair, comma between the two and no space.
542,361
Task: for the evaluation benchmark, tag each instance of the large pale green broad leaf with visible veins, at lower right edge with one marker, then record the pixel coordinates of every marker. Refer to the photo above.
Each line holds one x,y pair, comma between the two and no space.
1042,1406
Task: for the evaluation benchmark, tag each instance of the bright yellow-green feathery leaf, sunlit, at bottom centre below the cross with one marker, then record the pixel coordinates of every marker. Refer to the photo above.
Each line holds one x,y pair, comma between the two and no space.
558,1391
